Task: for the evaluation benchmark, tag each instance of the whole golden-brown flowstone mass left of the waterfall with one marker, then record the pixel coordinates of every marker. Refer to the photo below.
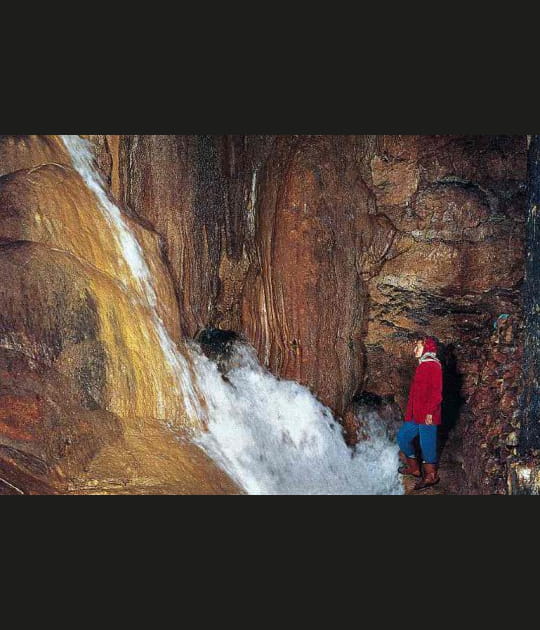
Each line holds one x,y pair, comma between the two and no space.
77,339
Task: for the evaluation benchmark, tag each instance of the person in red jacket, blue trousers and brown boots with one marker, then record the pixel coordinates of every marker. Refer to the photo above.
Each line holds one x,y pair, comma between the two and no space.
423,416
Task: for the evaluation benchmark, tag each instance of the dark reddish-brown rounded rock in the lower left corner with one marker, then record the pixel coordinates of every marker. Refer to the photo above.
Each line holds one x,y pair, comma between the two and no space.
48,430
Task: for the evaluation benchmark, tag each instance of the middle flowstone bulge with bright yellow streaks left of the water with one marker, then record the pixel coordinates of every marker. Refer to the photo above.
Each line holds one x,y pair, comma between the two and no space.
137,381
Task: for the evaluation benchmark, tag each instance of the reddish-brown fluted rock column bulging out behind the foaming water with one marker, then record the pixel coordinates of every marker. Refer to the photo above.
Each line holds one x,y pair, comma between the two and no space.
305,300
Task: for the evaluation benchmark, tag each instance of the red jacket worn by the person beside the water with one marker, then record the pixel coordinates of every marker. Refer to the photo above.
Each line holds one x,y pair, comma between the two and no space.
425,394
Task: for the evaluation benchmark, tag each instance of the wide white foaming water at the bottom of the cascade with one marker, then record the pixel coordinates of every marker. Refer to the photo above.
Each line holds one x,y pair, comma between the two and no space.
274,437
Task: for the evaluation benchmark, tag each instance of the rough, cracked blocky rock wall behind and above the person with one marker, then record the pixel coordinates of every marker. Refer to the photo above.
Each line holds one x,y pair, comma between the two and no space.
459,205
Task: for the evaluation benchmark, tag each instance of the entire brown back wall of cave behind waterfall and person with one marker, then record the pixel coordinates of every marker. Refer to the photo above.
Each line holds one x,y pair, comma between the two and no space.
329,252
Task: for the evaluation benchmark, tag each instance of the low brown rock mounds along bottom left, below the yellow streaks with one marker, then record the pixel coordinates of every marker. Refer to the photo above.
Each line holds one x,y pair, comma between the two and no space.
50,442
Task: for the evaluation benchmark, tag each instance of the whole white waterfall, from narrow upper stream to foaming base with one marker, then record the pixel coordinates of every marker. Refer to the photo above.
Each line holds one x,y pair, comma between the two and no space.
271,436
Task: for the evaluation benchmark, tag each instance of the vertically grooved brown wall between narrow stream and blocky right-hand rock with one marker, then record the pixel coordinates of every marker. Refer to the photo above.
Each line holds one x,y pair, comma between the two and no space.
272,237
